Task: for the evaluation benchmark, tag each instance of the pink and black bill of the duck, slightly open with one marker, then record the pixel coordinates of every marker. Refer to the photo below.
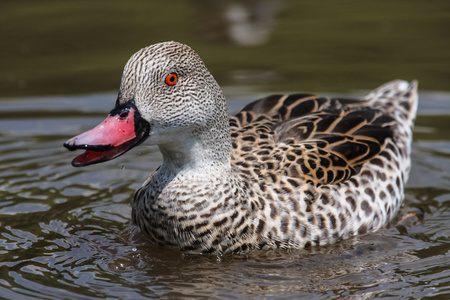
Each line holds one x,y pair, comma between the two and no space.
122,130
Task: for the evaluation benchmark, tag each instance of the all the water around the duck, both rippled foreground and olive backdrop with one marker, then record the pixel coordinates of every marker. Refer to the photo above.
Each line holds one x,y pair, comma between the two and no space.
63,230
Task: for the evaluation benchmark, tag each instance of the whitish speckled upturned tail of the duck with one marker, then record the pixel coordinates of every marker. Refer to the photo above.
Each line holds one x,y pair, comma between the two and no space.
398,98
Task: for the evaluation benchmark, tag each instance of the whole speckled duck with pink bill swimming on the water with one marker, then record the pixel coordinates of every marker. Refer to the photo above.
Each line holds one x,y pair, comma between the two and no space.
286,171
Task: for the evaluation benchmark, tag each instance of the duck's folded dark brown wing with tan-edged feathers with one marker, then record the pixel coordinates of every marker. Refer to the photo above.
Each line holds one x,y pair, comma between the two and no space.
314,139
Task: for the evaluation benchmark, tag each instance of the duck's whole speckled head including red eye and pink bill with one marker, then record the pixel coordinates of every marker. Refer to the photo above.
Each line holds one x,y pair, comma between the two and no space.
166,94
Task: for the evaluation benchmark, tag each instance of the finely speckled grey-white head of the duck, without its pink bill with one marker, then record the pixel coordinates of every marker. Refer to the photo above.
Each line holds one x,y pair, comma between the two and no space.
192,108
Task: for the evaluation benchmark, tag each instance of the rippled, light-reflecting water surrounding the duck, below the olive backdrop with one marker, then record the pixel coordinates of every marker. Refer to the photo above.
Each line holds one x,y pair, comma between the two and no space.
63,231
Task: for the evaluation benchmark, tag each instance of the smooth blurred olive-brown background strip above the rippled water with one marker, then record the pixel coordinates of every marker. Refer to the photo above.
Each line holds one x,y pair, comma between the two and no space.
74,47
